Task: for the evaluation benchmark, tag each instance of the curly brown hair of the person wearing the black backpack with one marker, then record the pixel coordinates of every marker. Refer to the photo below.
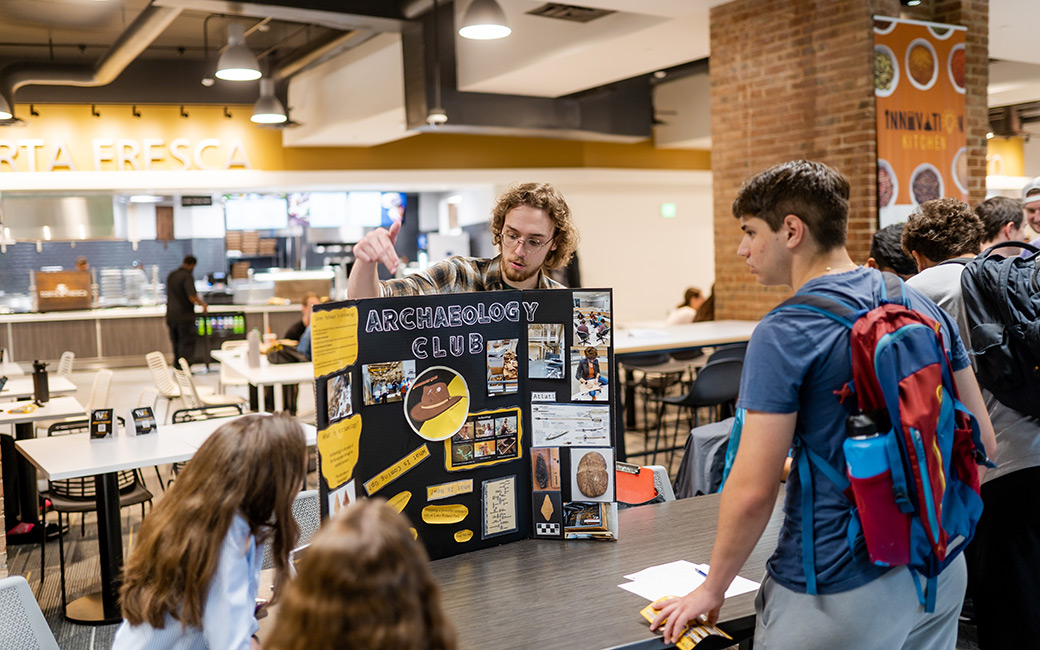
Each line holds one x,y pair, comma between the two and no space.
943,229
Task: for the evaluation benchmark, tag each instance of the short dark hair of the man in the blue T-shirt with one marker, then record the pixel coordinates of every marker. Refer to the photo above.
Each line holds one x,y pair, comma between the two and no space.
811,191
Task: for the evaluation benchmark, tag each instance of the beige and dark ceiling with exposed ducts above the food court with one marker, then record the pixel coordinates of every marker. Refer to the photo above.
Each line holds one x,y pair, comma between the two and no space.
359,72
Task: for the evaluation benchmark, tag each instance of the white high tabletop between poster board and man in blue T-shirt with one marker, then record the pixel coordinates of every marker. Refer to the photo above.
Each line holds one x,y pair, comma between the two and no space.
668,339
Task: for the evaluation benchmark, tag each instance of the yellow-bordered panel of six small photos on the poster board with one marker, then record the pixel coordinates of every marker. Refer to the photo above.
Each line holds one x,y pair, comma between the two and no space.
486,438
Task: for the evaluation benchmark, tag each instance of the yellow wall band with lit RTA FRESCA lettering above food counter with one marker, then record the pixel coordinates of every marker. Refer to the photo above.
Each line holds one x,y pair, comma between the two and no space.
67,138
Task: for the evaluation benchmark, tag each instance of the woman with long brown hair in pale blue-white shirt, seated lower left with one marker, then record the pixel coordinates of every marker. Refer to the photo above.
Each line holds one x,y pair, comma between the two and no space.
193,579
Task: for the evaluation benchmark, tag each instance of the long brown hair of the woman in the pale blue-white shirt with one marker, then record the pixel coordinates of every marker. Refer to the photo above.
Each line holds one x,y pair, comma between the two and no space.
252,466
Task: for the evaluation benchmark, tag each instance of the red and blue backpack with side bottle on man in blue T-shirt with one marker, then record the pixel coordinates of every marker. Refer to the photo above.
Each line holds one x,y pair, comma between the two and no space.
922,511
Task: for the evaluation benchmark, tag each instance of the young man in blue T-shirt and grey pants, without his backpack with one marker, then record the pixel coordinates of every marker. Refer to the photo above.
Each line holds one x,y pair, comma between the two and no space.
820,591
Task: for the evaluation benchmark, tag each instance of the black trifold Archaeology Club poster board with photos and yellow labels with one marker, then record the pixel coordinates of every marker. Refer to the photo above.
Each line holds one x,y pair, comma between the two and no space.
485,418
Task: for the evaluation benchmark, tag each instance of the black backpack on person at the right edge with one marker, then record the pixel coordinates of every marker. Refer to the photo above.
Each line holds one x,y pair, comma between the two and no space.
1002,298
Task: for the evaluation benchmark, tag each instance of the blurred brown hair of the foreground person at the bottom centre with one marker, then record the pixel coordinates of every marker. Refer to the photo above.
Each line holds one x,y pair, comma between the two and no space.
363,583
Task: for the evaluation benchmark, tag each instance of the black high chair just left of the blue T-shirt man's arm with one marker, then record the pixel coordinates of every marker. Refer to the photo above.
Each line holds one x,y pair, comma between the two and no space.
717,385
